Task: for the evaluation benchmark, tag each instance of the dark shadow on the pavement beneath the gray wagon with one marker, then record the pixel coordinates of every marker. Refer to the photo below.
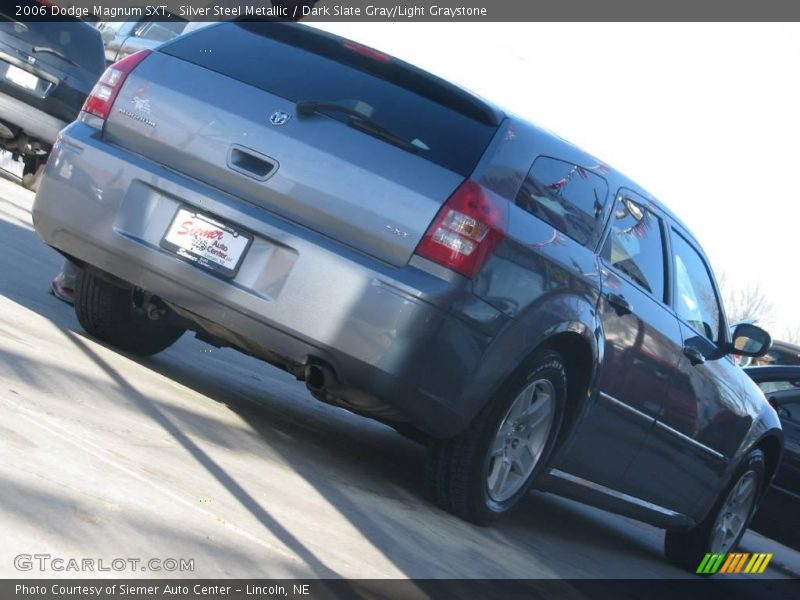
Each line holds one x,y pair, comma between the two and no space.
346,457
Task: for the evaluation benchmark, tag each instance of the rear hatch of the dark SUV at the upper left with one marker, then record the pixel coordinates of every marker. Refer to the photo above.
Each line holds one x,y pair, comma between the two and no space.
51,66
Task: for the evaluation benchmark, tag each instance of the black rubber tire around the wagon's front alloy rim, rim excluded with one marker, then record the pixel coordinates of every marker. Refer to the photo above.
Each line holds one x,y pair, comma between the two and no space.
686,549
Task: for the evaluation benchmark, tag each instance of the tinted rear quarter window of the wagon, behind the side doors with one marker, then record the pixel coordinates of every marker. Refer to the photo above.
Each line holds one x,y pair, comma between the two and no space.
567,196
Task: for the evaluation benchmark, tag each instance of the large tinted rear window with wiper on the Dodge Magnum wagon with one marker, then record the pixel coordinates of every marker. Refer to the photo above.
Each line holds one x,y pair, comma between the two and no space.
447,125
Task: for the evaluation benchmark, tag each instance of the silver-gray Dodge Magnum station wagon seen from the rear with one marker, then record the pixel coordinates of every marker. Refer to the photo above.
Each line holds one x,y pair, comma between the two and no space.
420,257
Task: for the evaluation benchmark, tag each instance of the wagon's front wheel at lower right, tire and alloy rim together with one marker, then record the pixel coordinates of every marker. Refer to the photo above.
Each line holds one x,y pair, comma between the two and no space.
722,530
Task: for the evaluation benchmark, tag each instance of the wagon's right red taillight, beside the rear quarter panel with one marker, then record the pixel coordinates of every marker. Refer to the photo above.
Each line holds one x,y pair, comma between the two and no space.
466,230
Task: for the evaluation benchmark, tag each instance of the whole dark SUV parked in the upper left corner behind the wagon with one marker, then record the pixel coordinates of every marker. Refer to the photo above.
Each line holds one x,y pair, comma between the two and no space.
47,70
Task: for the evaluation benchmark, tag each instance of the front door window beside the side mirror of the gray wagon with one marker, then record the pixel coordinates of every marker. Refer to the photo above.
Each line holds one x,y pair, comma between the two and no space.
695,299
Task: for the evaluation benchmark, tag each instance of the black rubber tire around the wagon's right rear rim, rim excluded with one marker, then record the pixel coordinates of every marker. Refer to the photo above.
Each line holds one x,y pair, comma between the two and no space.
458,469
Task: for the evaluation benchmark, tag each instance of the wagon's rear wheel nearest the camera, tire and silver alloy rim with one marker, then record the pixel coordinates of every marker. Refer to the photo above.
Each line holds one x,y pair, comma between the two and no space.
484,472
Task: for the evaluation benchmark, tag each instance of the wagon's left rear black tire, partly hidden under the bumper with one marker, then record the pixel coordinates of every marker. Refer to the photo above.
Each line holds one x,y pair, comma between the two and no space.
107,312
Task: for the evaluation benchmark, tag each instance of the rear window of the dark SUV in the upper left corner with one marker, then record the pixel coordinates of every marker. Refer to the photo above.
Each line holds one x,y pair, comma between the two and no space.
77,42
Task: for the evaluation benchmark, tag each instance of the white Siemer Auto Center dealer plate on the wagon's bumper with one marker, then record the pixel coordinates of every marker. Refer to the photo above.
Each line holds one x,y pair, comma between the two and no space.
207,243
